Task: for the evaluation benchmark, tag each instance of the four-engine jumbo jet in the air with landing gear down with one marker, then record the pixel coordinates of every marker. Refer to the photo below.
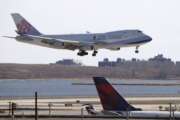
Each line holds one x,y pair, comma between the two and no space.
83,42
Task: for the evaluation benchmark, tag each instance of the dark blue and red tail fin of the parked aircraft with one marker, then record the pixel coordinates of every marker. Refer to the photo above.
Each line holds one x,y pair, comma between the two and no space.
111,100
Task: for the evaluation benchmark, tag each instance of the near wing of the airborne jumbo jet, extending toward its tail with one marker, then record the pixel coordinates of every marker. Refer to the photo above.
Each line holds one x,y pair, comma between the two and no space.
68,44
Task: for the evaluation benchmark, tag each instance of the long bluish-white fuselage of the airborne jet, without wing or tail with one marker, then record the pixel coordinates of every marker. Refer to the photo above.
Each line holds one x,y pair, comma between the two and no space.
110,40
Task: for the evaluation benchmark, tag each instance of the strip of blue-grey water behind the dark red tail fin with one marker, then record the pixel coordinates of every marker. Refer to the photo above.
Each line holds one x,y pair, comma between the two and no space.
58,88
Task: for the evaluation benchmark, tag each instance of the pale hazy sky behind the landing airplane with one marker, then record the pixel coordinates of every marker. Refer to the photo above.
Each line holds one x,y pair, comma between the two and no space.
158,18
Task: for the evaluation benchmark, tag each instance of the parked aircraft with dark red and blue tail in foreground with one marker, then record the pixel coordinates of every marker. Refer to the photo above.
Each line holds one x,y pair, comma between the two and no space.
114,104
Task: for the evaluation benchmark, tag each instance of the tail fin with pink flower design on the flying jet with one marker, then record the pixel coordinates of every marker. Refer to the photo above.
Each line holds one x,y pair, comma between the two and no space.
23,26
